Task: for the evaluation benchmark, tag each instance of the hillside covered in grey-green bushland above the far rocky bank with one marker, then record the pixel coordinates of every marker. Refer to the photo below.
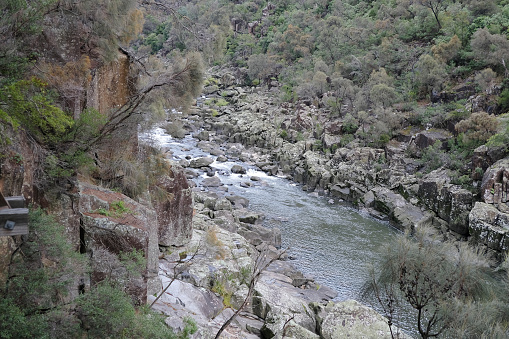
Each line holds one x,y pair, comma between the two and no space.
382,68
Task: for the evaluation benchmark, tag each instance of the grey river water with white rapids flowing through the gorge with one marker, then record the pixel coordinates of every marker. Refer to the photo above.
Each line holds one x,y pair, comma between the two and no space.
333,243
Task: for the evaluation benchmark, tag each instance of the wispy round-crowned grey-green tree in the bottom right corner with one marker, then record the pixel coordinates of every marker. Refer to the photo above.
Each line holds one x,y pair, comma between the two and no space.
444,283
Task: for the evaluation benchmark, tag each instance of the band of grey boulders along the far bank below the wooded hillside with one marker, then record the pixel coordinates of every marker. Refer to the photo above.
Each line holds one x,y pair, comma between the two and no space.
301,142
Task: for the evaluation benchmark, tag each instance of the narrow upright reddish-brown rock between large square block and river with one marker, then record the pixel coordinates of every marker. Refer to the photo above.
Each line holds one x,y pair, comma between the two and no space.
175,213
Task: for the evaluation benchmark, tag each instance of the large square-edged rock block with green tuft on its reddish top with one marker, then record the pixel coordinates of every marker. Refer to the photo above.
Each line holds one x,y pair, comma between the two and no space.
113,223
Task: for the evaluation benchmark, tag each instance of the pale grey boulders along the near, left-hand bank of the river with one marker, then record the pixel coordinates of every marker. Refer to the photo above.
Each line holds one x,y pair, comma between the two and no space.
208,277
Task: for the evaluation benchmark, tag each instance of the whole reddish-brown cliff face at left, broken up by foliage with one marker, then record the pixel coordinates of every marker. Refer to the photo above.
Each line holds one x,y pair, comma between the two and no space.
77,203
